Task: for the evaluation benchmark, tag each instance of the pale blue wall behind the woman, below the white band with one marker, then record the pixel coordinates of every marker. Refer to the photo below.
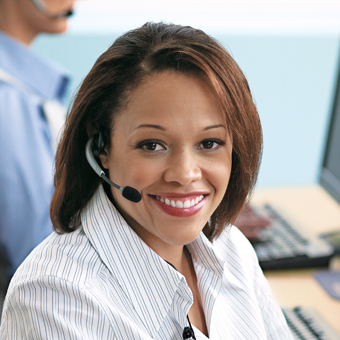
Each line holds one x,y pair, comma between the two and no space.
291,76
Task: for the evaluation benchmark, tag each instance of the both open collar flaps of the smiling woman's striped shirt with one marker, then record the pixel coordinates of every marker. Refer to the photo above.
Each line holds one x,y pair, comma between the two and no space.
128,258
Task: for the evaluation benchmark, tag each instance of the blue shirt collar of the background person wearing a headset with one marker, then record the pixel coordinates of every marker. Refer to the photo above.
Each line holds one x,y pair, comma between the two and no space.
47,80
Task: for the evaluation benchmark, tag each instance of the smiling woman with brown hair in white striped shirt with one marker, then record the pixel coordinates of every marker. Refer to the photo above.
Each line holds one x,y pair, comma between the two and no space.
166,112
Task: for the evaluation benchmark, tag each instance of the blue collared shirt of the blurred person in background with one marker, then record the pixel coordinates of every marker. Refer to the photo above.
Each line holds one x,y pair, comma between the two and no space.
26,156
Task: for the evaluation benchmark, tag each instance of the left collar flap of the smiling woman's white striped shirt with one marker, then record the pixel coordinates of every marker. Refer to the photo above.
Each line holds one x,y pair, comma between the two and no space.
128,259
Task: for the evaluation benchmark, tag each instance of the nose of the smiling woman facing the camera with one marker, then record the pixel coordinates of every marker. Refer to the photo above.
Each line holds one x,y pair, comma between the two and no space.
183,168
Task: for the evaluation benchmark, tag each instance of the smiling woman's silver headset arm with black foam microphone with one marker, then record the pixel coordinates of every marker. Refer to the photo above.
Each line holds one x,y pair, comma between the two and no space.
129,193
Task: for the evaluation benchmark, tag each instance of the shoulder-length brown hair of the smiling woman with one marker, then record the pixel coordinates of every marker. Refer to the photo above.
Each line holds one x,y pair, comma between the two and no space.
151,49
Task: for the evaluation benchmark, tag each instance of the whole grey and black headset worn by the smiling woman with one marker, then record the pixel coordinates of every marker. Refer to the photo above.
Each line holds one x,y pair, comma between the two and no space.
93,148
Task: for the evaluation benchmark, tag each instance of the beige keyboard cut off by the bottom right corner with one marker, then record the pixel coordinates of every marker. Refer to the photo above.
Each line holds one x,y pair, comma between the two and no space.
308,324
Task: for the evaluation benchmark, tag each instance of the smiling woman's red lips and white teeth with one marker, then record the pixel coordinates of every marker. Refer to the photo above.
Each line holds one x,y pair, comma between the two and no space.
180,206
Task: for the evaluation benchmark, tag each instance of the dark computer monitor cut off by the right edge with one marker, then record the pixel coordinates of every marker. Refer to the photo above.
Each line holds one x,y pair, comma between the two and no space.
330,170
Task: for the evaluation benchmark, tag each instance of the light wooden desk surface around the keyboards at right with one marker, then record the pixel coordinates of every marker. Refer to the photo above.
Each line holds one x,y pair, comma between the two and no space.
312,208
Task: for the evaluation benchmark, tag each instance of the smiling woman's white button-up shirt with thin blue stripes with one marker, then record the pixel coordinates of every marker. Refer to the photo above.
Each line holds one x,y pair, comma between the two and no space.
103,282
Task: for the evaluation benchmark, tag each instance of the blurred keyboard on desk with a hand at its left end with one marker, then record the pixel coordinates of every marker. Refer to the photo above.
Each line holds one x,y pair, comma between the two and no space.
284,246
